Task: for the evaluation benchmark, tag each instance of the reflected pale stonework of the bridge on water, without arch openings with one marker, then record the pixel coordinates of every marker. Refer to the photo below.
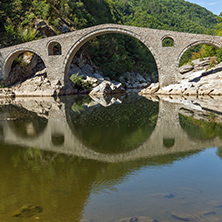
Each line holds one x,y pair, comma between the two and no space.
167,127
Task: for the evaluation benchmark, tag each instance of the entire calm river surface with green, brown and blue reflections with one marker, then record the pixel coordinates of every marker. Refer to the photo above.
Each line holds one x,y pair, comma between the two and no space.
78,159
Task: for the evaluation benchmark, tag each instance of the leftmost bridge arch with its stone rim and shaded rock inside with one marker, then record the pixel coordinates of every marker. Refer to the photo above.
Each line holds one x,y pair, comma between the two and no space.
21,65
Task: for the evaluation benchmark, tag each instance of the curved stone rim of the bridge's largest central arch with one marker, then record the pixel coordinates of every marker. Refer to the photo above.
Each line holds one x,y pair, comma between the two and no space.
78,44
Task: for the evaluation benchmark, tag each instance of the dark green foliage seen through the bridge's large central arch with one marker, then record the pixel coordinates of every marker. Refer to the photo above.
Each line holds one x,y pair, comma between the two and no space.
116,54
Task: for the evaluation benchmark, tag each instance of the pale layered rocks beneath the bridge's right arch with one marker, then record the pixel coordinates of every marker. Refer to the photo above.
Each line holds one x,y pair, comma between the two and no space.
197,79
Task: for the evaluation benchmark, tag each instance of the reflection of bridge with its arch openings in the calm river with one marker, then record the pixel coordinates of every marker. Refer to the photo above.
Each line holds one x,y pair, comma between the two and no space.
131,130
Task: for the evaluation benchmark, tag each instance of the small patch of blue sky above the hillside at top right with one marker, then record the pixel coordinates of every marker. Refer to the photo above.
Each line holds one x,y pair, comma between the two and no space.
214,6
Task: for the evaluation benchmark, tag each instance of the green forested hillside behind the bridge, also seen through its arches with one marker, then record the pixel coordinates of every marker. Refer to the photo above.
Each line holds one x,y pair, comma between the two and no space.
113,54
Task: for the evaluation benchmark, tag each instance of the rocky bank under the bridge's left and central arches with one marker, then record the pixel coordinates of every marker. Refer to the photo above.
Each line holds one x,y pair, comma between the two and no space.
28,77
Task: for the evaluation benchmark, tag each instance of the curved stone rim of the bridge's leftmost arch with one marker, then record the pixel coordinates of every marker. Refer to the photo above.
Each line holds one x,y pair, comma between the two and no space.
10,58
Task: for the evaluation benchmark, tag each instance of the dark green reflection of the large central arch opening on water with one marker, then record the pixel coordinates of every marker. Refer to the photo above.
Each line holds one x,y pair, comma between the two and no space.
117,128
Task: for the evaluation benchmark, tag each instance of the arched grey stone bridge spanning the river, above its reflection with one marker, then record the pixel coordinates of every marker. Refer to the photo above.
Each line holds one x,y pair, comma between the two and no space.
167,58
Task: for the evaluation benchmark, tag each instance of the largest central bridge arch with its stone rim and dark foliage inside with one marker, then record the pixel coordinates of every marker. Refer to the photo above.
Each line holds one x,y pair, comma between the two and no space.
105,49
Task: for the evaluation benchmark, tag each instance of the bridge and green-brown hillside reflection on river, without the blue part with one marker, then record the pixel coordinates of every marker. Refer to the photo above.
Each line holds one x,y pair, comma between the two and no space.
141,133
